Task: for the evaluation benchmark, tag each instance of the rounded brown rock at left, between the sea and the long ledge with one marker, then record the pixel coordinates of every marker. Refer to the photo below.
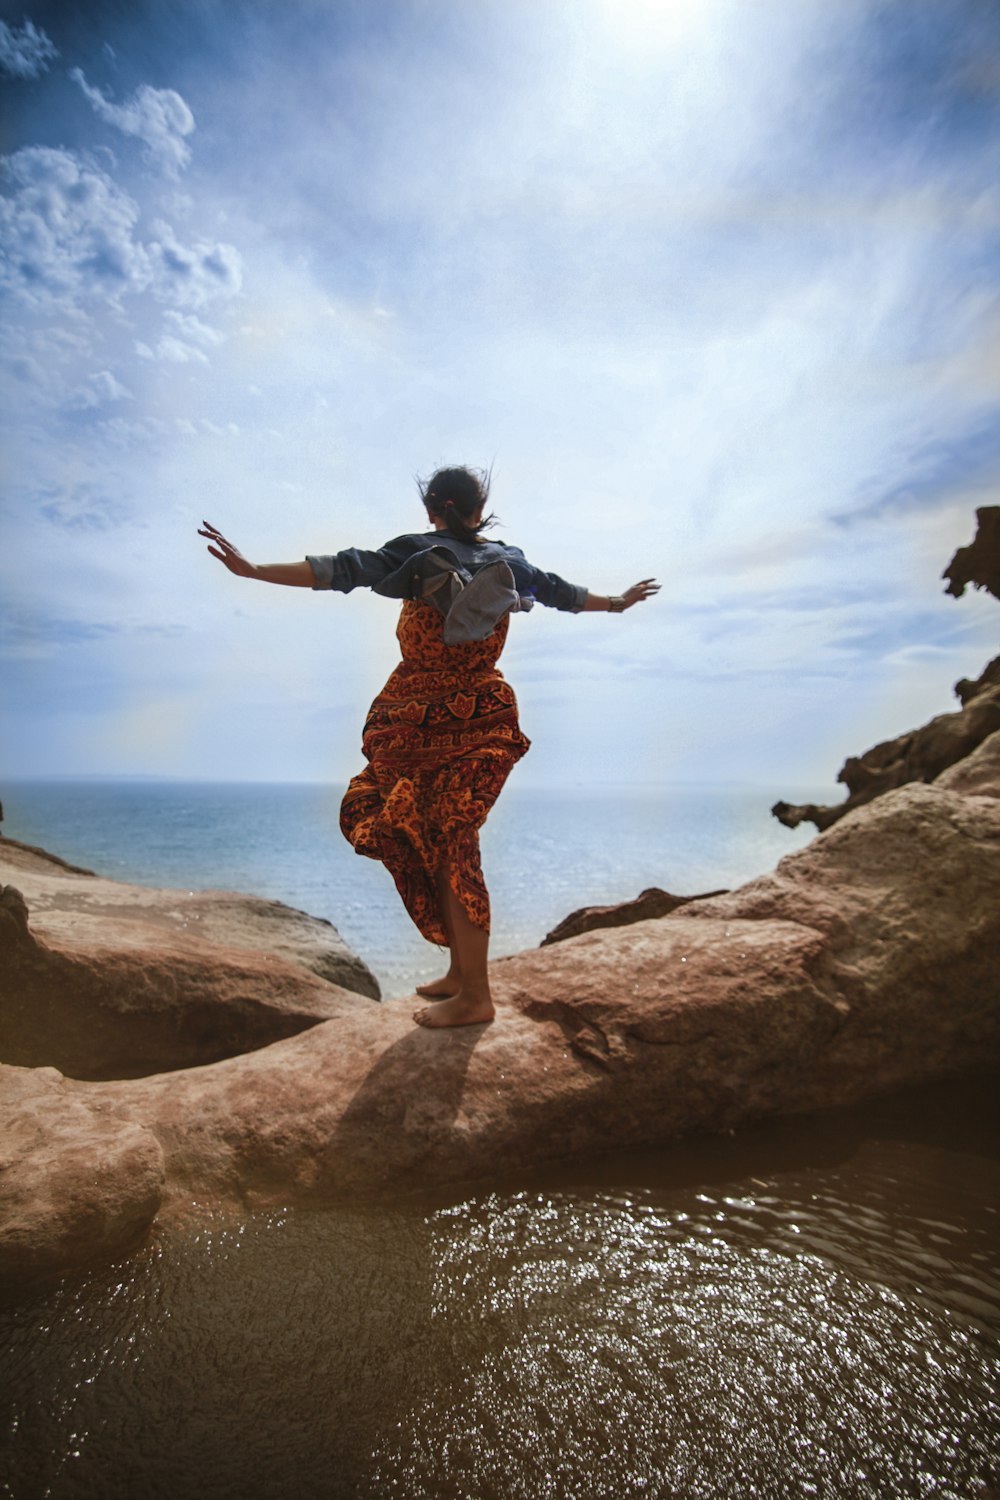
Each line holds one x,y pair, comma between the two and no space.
104,980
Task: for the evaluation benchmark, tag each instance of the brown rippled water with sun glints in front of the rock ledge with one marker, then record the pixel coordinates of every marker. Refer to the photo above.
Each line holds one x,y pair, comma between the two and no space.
810,1309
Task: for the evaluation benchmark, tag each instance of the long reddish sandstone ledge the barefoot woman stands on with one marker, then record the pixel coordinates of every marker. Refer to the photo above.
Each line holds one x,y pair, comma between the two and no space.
864,962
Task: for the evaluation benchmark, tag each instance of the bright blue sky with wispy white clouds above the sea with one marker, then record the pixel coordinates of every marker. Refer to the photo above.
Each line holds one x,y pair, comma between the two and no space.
711,286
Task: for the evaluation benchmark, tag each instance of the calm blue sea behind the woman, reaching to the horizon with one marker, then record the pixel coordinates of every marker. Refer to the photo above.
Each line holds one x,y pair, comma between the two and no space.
545,853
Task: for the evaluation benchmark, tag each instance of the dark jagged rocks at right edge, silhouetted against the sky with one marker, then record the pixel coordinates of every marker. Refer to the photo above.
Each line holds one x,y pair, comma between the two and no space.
921,755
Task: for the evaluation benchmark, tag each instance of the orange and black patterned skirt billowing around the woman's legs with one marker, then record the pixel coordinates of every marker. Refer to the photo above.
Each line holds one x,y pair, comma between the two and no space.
442,739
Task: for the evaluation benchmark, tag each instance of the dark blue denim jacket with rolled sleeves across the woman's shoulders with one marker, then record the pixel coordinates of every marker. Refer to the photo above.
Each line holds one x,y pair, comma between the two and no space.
395,569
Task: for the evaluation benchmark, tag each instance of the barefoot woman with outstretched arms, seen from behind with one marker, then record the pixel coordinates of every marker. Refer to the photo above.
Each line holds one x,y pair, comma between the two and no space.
443,736
